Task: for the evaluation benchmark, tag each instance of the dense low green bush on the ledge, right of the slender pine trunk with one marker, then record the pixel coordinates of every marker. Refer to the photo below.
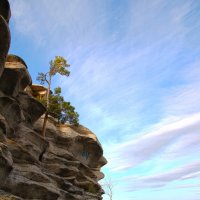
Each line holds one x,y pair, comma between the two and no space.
61,110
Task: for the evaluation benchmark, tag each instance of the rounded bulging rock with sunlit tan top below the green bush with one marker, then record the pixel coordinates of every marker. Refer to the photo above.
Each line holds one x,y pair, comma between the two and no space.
84,145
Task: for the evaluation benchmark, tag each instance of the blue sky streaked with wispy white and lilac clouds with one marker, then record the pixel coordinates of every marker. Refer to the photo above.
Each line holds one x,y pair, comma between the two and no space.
135,79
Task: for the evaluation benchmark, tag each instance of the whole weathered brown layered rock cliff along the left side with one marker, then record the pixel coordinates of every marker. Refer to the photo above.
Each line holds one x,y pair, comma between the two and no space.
65,165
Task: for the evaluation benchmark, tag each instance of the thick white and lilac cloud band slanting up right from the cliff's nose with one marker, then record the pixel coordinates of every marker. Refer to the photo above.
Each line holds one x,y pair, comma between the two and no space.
172,141
